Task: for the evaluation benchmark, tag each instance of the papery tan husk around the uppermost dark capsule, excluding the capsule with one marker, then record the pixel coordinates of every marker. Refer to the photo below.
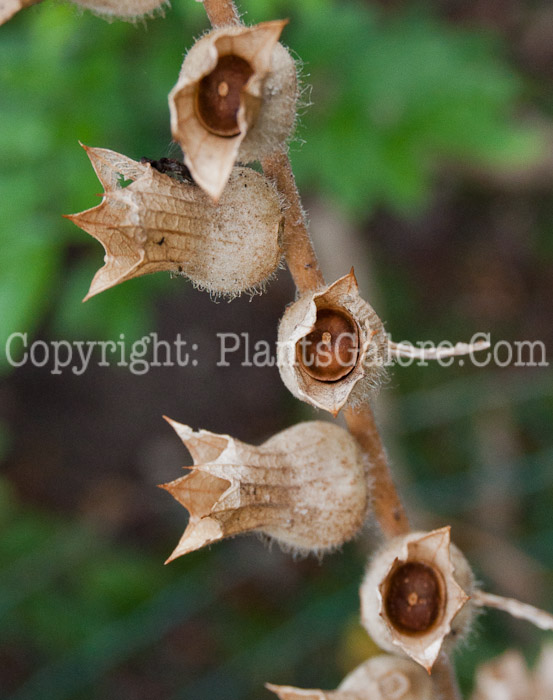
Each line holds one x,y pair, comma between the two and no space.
267,110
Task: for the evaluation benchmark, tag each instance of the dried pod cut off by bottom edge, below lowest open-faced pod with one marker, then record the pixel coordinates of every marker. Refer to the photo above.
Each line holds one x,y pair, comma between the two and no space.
379,678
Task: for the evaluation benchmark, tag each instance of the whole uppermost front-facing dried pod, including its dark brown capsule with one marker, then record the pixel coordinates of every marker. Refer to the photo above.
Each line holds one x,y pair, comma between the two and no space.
235,99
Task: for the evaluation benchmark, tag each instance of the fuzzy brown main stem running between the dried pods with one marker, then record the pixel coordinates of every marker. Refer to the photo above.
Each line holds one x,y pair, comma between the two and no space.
308,277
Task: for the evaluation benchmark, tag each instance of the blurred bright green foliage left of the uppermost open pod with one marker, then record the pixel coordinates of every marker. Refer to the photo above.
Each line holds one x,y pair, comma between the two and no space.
65,76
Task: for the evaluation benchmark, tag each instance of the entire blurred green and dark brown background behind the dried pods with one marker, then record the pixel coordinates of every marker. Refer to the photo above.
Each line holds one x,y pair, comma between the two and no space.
426,159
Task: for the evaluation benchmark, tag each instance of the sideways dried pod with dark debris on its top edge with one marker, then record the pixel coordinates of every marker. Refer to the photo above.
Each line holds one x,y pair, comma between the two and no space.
164,222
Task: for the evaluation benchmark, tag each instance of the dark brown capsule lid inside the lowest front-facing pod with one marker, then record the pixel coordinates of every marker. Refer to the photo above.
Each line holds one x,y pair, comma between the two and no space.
413,599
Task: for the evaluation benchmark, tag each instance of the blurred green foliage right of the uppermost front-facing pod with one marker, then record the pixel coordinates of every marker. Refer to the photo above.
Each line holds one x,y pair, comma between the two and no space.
395,95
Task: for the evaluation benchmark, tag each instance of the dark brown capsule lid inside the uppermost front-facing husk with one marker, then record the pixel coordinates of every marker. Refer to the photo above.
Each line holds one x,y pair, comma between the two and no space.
218,95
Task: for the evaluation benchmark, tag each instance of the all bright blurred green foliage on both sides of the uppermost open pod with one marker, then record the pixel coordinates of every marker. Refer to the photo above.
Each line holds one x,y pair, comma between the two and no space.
392,96
